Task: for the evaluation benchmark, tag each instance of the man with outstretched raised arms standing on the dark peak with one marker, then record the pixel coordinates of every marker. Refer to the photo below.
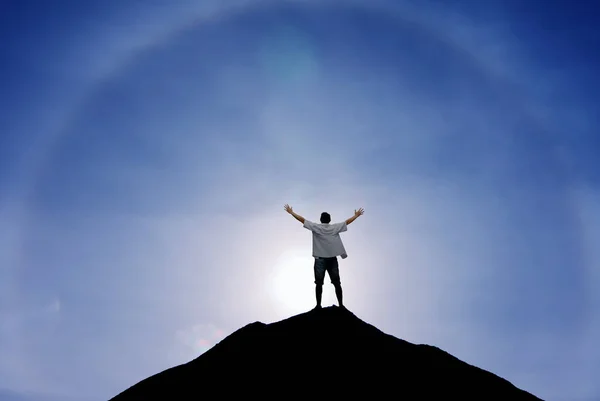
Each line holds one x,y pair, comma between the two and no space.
327,245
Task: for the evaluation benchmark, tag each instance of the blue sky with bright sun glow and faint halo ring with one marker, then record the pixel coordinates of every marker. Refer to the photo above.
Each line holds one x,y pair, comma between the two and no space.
147,149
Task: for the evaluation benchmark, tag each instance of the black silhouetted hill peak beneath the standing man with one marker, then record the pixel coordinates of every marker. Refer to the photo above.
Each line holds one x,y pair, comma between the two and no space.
323,353
